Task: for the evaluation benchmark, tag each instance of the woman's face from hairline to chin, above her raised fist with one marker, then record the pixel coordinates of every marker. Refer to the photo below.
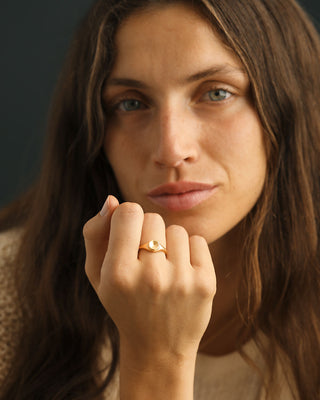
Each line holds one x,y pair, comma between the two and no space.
183,139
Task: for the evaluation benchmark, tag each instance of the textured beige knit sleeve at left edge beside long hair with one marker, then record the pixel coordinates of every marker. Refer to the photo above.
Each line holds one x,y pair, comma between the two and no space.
10,317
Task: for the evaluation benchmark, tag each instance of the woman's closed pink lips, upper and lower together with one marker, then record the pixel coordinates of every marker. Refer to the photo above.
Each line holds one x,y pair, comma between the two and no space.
180,196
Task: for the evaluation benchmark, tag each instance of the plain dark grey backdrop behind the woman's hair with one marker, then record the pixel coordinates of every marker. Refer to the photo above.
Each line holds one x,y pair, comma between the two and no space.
34,37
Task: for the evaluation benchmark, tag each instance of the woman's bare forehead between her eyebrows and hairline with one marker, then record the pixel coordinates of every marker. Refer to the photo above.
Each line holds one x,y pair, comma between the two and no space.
169,41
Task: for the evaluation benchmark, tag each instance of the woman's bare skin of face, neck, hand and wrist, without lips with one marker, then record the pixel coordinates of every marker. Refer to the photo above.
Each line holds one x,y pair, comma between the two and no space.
174,123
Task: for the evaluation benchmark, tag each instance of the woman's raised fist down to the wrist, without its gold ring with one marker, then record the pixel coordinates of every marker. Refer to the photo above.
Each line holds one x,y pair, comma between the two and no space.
161,304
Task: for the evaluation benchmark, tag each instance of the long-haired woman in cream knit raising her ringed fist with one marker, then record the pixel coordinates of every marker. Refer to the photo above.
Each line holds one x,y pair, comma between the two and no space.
201,118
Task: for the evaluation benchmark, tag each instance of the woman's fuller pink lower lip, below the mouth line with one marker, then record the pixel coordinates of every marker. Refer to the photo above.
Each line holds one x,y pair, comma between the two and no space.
183,201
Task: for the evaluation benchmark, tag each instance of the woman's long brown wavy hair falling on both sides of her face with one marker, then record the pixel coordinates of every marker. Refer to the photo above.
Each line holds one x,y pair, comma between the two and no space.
65,325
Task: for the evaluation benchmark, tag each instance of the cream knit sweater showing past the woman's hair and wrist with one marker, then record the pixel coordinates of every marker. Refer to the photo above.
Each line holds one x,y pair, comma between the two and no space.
217,378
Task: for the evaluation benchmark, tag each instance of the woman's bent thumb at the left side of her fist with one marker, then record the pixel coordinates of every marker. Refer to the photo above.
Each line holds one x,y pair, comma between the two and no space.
96,237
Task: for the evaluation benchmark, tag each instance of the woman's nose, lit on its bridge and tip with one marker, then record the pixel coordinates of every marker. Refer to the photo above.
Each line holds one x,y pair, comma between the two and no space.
175,140
